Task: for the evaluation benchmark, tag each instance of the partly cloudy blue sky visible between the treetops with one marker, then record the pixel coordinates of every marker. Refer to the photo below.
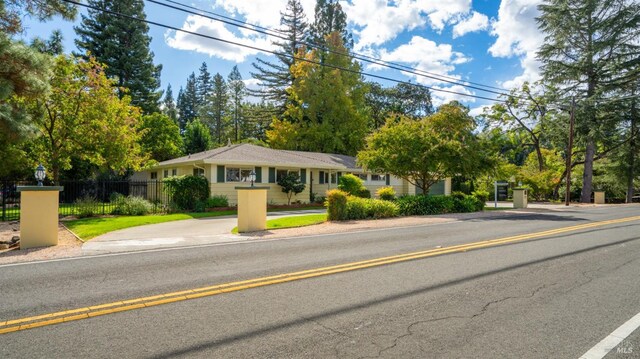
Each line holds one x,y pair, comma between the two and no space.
491,42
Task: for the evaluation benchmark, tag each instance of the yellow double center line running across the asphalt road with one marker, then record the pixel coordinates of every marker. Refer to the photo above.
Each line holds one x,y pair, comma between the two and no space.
137,303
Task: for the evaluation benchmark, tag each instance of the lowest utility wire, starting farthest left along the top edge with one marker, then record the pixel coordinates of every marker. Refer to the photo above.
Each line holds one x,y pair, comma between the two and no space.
275,52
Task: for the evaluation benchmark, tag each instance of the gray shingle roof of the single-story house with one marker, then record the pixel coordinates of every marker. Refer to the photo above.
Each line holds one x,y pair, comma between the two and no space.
251,154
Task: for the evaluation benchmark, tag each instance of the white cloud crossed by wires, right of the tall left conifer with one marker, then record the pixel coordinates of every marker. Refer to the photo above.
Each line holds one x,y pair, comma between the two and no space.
183,41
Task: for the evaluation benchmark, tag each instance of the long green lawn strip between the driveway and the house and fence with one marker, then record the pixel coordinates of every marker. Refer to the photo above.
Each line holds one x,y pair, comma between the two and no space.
87,228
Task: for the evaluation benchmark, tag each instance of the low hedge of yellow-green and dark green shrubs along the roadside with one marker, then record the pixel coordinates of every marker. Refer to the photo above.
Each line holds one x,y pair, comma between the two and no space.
341,206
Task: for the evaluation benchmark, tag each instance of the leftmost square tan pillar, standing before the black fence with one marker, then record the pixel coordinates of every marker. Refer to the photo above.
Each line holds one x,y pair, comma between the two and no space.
38,216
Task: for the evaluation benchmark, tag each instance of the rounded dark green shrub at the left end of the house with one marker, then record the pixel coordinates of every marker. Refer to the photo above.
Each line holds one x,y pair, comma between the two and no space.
187,191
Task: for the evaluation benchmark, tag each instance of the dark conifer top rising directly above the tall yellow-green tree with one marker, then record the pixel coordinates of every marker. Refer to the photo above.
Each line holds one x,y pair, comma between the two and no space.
329,18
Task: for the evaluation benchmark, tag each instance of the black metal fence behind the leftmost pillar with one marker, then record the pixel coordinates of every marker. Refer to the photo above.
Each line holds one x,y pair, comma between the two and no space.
100,195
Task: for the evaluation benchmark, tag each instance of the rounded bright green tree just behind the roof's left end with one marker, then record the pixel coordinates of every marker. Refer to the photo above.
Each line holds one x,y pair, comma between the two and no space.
160,137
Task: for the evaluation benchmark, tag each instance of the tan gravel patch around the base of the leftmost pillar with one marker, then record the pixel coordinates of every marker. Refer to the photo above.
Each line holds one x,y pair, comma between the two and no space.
68,246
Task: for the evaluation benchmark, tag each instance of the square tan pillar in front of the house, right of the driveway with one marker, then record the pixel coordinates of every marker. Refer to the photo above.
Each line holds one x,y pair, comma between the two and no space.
252,208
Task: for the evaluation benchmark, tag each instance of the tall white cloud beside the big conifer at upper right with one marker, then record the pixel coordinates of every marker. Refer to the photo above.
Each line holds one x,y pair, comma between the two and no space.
518,35
